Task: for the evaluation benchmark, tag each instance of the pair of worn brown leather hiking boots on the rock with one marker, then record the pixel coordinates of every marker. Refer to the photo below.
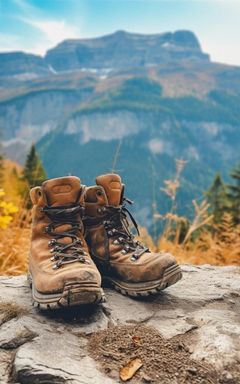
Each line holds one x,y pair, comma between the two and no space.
81,235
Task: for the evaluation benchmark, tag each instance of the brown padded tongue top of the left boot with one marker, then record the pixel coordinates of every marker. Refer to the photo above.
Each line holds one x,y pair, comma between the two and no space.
62,190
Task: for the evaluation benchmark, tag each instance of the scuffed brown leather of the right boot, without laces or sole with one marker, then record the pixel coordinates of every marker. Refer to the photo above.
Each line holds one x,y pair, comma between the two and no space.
149,267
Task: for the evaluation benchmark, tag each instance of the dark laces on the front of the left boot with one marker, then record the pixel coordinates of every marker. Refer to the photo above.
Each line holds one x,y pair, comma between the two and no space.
65,253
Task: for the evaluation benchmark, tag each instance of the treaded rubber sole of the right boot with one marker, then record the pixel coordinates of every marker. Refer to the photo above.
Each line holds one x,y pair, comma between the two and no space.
171,276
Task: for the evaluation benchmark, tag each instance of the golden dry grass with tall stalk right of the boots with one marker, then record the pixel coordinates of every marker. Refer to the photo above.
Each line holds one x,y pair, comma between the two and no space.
204,242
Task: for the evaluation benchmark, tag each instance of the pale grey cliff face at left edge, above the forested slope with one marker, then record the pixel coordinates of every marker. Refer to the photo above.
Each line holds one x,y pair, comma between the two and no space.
28,118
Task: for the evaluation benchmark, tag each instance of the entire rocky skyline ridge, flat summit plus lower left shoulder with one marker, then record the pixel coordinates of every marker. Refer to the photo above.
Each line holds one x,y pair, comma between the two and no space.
119,50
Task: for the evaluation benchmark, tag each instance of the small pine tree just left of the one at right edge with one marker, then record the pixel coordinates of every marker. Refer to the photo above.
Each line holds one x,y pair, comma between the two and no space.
217,198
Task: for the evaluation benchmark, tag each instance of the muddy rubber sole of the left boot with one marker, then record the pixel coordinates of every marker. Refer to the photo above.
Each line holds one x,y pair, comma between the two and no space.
72,294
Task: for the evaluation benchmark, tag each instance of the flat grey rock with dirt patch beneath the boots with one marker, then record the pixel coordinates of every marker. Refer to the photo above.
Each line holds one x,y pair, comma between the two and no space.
189,333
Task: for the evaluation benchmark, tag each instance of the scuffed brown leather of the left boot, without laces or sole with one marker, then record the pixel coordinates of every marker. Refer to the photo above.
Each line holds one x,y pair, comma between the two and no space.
46,279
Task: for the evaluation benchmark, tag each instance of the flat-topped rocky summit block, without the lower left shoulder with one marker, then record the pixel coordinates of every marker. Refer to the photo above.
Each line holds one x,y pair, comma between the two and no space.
123,50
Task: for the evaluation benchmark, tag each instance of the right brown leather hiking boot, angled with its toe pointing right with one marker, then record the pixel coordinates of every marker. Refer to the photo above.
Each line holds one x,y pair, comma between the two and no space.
129,266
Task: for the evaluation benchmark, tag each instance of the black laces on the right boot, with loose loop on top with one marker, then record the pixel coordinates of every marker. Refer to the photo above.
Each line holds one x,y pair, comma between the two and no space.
117,225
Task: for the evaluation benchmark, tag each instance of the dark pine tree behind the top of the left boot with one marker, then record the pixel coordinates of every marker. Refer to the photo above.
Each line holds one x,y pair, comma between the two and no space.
33,172
